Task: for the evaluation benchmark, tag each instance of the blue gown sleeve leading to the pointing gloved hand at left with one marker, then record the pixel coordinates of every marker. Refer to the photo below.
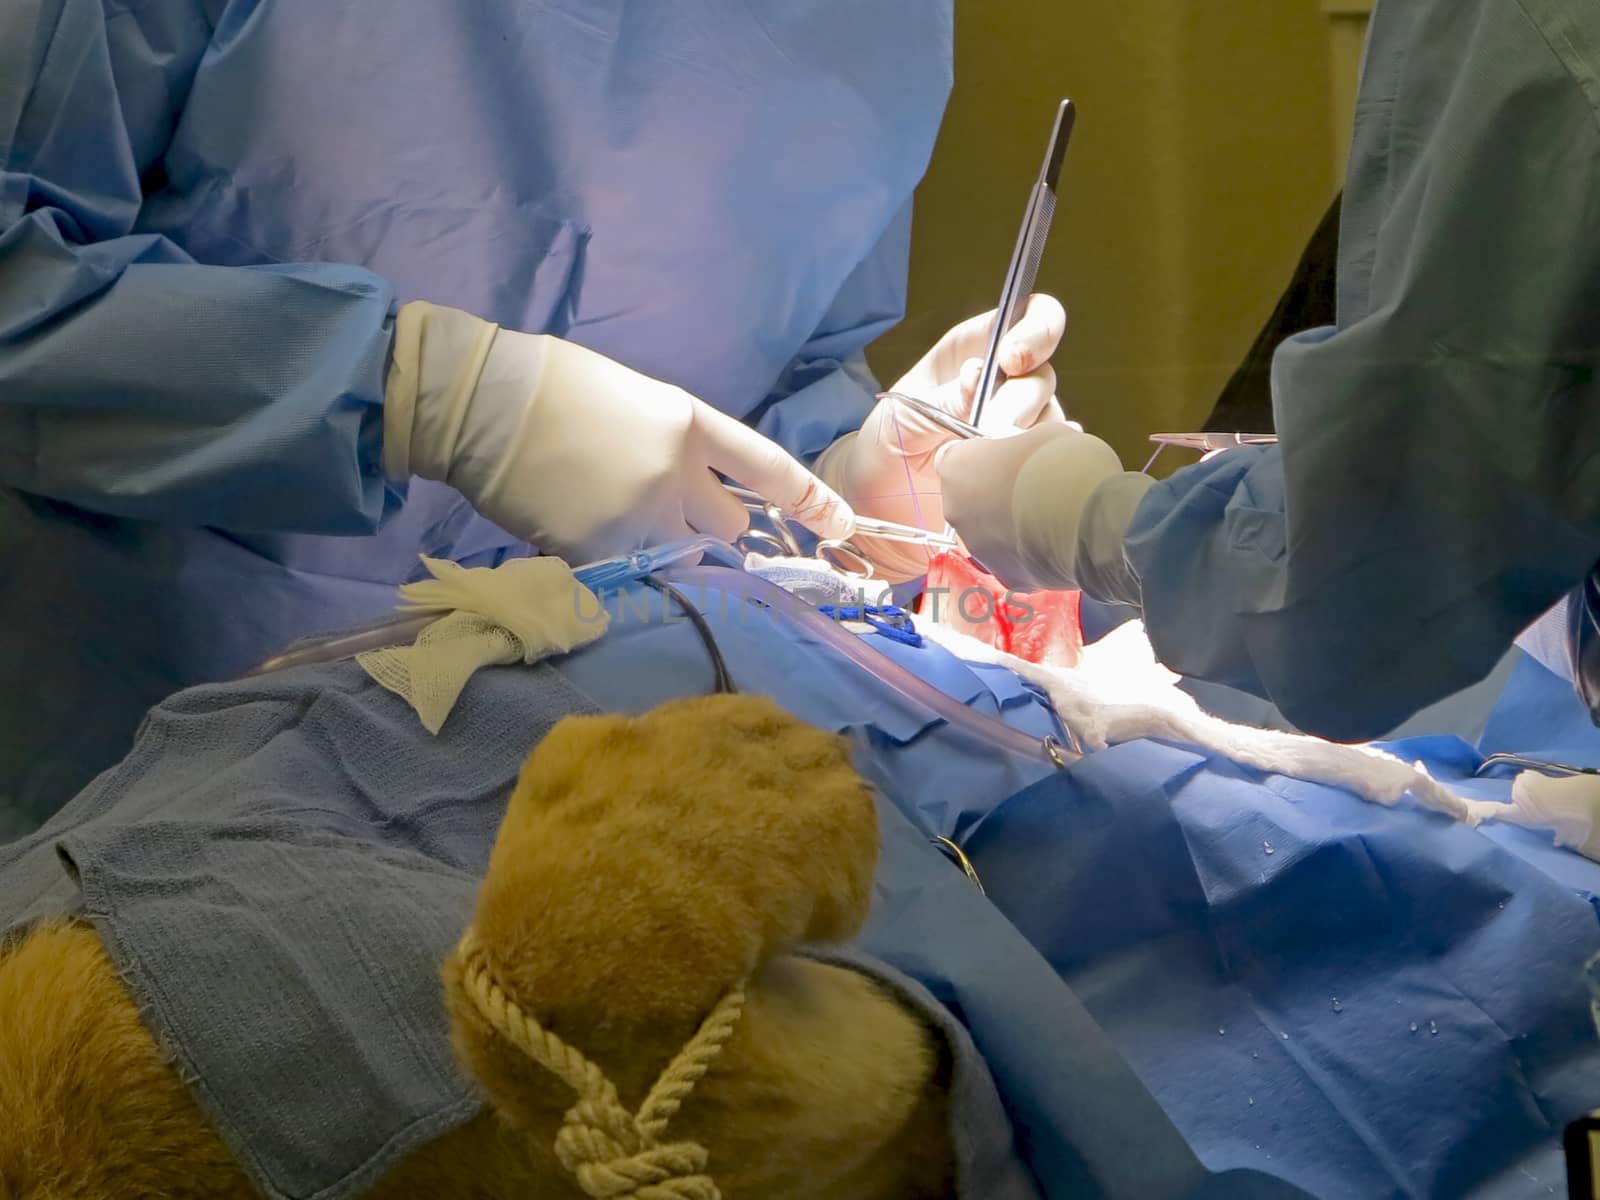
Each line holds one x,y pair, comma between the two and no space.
135,382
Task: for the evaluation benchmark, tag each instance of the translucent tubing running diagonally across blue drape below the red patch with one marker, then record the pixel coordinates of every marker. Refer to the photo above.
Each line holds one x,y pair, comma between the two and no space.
878,665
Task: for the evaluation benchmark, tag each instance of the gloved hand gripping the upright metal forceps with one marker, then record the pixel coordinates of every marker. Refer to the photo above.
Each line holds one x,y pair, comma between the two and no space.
889,468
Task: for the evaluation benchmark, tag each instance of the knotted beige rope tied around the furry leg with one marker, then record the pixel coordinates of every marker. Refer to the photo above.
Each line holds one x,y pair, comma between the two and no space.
612,1153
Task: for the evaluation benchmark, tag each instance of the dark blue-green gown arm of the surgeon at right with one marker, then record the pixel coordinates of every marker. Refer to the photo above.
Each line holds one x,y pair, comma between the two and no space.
1438,484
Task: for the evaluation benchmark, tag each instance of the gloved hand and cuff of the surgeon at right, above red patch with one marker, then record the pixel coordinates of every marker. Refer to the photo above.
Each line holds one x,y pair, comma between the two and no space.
1046,510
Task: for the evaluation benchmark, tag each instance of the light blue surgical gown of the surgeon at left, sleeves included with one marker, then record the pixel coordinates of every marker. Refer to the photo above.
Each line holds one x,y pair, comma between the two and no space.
212,209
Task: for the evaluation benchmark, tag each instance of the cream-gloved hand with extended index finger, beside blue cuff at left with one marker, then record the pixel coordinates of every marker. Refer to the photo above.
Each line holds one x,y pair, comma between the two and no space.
570,450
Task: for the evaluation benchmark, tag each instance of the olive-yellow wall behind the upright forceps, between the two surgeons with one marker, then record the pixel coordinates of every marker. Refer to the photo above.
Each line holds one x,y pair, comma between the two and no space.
1204,156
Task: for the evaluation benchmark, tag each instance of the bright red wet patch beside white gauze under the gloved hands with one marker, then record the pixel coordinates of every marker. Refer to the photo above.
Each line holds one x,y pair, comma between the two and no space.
1034,626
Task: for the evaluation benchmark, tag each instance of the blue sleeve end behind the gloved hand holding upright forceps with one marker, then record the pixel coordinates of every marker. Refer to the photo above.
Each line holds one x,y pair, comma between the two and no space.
830,390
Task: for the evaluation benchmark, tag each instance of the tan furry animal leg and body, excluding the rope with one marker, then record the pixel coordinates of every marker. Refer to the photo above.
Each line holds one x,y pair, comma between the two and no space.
642,870
